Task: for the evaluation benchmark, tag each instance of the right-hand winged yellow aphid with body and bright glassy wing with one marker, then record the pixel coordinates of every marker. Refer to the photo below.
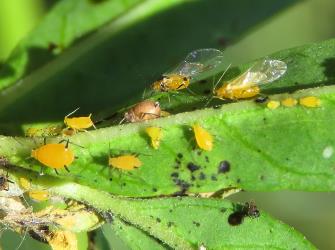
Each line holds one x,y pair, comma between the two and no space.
247,84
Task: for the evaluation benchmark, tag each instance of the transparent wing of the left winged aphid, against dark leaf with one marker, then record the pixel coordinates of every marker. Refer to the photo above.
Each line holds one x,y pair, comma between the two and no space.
198,61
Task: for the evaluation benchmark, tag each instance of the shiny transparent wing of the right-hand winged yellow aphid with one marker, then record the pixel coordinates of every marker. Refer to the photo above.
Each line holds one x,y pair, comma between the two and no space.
263,72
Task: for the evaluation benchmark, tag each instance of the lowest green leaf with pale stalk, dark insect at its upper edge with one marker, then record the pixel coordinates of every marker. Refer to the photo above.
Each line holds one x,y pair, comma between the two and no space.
188,223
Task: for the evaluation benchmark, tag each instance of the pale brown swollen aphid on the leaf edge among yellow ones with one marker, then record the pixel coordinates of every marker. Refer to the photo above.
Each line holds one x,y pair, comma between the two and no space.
142,111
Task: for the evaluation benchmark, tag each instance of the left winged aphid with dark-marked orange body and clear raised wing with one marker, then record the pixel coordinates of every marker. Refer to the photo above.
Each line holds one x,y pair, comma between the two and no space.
195,63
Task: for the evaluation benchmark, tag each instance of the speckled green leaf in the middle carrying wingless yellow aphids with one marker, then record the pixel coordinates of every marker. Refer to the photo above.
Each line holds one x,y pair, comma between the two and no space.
267,150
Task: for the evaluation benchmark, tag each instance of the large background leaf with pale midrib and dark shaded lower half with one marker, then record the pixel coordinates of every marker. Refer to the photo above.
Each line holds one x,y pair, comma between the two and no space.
108,67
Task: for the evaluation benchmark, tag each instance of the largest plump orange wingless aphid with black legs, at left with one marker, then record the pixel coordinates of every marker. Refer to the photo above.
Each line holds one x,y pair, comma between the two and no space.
54,155
